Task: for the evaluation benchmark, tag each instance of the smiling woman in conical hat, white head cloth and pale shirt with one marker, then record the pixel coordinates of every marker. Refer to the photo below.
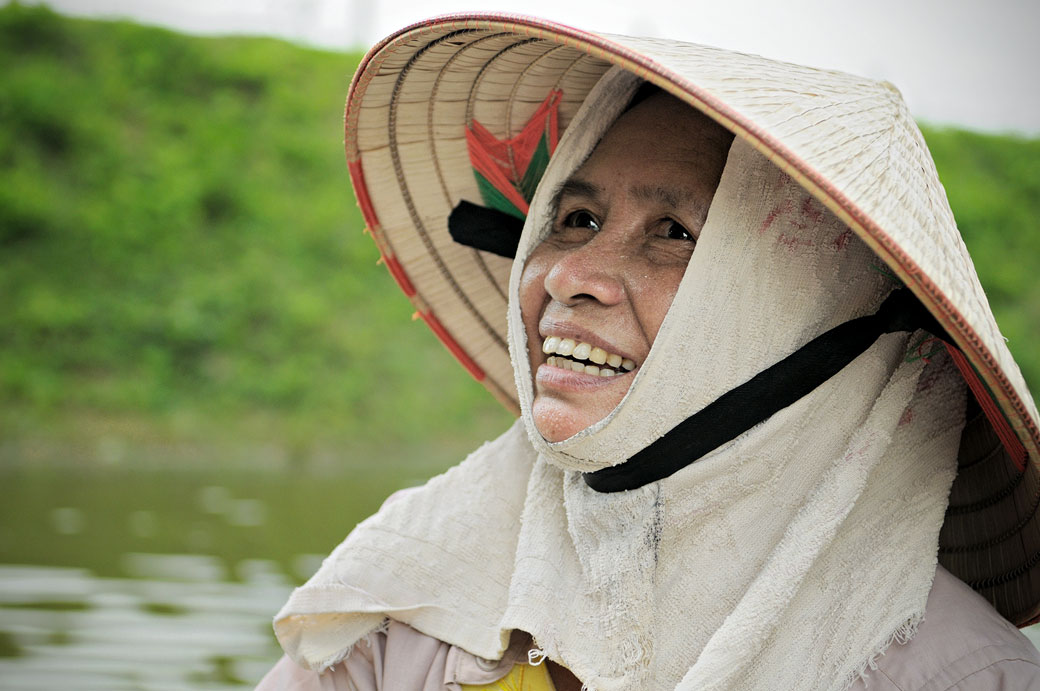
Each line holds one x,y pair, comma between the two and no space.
735,466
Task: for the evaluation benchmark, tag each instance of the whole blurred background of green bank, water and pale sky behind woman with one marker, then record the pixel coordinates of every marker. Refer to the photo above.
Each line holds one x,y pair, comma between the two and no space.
205,378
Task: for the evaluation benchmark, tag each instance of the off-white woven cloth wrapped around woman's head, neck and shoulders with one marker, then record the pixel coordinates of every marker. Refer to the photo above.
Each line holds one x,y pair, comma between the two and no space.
788,558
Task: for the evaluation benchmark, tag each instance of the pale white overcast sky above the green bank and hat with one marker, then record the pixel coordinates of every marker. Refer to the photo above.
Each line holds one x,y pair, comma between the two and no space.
969,63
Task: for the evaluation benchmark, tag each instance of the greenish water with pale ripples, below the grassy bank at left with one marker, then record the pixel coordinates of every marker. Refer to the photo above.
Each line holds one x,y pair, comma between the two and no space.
113,578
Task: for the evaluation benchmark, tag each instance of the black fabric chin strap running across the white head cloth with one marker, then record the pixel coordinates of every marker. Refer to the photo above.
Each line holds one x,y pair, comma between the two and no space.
770,391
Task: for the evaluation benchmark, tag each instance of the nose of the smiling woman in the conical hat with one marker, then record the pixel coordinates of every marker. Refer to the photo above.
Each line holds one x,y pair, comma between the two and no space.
593,271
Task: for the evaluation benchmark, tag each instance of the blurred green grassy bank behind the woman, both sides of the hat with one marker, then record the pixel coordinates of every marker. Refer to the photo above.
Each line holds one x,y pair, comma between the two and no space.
183,258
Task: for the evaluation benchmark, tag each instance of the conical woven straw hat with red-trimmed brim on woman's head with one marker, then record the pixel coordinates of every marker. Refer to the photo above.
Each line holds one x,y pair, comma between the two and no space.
849,141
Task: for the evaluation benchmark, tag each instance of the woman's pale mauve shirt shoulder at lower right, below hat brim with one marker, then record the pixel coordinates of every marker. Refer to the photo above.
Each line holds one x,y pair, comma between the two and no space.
964,644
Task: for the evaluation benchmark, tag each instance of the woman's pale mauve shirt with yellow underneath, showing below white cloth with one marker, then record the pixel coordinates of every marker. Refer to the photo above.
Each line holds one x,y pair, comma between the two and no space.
964,645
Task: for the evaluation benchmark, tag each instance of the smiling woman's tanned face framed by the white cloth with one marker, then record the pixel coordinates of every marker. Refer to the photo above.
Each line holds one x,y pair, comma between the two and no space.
594,294
